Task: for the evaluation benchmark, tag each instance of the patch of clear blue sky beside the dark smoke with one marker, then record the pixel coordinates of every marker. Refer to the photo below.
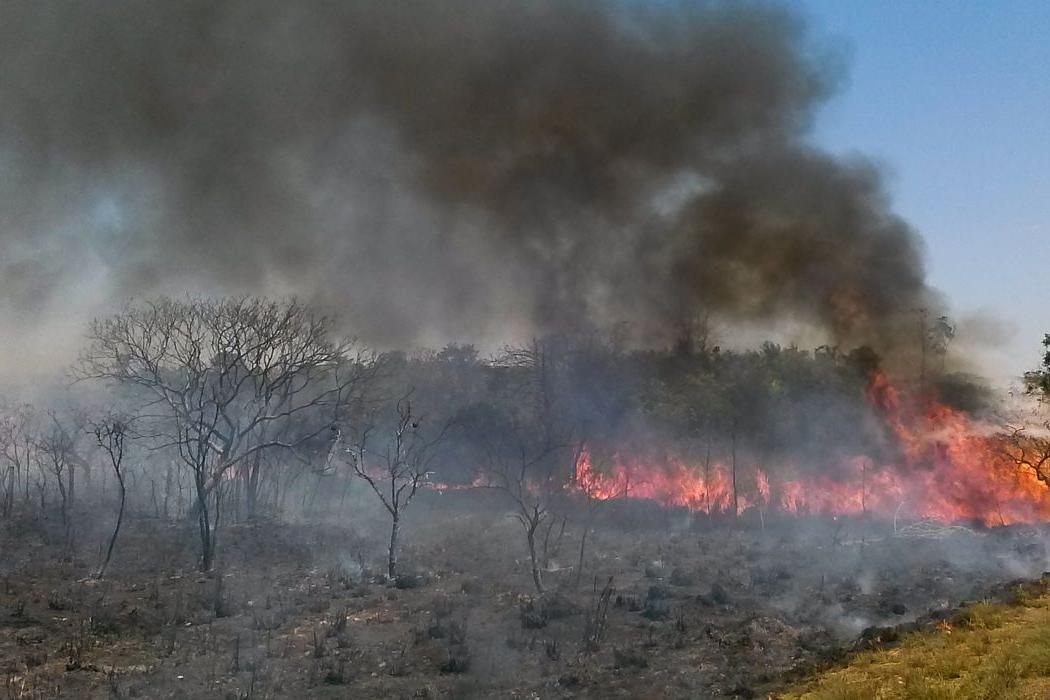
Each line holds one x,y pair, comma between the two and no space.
953,99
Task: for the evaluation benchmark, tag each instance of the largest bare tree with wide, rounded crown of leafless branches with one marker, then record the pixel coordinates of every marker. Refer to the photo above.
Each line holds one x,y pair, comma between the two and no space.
221,381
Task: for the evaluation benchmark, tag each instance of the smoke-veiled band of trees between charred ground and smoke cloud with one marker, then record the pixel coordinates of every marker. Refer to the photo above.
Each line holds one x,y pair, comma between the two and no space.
205,410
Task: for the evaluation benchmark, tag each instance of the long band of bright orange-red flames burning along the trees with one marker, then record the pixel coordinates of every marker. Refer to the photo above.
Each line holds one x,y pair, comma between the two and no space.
948,468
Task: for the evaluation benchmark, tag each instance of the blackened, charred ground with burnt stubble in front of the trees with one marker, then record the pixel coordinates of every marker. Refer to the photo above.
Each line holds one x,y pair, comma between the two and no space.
698,609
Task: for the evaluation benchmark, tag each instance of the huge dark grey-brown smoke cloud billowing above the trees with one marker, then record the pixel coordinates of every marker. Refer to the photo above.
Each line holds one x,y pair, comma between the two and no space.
439,169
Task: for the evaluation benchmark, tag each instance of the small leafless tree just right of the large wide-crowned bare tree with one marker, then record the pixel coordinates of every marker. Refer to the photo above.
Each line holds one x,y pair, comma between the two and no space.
395,462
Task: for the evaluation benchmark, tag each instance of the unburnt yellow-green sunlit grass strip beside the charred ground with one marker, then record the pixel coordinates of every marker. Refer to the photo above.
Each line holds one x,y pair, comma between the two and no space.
990,652
